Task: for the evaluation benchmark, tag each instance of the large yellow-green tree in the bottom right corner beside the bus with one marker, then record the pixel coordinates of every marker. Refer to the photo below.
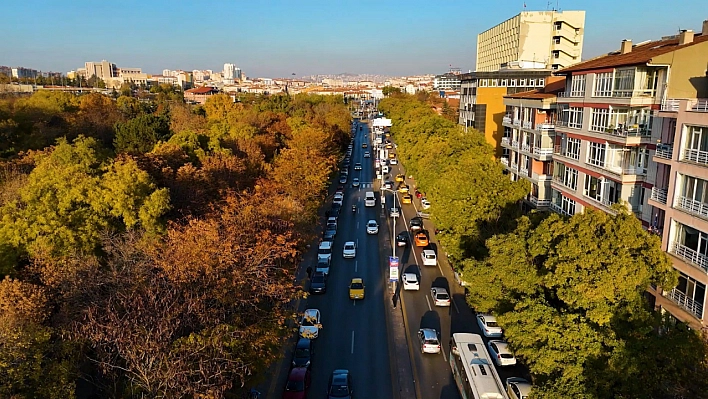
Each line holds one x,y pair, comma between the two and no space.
569,294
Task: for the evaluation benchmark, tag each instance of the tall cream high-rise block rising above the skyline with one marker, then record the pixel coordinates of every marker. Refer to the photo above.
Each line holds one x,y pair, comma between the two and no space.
552,38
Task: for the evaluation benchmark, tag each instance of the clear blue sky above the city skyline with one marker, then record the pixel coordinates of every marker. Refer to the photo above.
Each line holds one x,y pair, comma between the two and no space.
276,38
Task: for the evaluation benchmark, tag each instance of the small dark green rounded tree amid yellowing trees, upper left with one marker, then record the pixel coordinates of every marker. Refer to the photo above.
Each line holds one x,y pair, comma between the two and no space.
140,134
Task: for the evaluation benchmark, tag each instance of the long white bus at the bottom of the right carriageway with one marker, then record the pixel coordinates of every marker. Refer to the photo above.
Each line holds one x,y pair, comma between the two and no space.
473,369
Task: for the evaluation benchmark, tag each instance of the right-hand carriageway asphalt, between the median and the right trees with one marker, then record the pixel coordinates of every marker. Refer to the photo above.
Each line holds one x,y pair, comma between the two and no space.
434,378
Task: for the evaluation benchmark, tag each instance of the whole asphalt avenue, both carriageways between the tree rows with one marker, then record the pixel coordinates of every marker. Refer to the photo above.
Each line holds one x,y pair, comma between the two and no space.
355,334
